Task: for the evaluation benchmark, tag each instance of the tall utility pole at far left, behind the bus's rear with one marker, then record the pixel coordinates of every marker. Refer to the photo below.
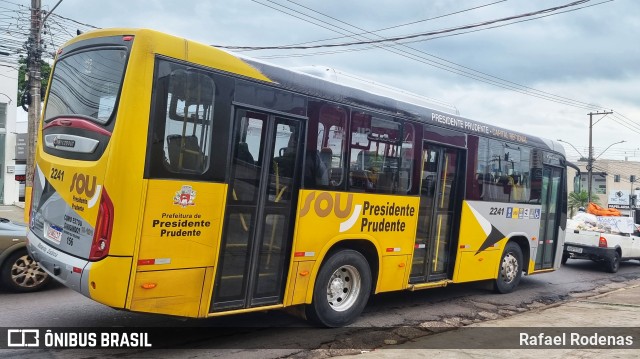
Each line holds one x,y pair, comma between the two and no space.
34,57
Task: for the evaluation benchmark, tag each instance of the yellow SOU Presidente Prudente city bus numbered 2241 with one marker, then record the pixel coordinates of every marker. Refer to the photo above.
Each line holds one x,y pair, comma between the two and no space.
173,177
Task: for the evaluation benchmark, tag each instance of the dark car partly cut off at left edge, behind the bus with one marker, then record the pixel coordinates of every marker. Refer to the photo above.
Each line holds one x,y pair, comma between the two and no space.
18,271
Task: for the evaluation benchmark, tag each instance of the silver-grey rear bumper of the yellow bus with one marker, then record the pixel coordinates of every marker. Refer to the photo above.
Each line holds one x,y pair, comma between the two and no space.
66,269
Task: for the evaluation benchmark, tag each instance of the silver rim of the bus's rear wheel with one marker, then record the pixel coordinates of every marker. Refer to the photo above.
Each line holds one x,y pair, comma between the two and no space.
343,288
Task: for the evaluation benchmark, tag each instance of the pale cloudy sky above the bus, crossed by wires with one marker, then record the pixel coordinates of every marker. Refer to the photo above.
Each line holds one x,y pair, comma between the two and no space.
588,55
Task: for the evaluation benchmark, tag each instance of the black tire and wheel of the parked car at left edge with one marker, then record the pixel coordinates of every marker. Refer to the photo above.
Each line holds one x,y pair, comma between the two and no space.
20,273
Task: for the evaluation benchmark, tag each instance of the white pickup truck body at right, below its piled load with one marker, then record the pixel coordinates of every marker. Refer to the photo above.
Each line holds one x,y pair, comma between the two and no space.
608,248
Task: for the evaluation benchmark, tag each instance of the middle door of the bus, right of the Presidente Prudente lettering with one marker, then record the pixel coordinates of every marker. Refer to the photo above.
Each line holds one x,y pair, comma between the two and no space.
440,197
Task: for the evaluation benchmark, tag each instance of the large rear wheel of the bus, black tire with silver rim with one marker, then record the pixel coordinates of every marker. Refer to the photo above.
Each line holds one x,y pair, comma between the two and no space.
341,289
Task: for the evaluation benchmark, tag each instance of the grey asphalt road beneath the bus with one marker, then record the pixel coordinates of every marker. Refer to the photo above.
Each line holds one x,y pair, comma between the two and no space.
388,318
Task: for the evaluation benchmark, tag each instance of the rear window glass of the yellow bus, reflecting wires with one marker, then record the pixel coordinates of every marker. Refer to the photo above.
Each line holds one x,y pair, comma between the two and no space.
87,84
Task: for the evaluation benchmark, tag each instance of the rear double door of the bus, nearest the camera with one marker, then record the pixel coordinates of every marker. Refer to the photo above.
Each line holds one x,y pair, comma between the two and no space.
256,240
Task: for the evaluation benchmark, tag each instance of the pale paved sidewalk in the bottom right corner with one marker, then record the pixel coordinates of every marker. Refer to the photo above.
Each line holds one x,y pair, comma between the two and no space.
601,313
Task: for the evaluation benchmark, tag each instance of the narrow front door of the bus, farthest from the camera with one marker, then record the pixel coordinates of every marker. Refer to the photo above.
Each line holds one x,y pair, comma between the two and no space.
549,217
